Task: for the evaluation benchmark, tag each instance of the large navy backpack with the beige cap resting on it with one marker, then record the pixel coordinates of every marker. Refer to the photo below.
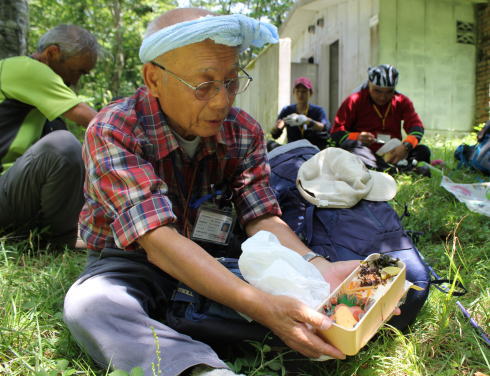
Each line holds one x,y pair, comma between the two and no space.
347,234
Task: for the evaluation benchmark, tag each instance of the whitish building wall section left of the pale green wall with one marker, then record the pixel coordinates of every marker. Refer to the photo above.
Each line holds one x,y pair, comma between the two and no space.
324,23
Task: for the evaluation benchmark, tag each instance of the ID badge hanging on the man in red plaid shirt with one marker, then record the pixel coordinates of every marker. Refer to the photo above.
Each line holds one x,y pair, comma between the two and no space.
213,225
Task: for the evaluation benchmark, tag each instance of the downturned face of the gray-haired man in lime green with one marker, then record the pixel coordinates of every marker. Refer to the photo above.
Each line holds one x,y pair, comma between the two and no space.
72,68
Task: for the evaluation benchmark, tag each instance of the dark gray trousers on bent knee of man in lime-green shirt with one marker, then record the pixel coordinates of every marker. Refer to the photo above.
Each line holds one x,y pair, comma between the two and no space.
43,189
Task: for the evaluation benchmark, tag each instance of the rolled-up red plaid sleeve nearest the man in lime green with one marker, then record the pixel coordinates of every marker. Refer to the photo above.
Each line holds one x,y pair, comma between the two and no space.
124,186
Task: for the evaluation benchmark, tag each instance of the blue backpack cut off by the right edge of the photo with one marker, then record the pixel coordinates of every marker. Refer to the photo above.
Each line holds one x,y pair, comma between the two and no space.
476,156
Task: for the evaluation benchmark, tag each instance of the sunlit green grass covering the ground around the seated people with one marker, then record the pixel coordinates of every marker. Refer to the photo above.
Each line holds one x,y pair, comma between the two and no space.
455,241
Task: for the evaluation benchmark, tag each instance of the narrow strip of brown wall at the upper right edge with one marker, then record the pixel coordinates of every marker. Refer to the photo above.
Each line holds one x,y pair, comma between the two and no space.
482,89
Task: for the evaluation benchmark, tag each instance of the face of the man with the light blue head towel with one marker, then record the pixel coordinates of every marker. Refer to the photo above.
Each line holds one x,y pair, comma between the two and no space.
195,63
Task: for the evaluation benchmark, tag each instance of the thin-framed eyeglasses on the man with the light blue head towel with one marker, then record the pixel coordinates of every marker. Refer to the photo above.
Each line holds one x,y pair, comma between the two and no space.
209,89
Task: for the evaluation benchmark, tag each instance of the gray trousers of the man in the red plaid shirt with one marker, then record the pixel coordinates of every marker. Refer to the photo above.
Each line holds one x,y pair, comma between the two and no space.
115,312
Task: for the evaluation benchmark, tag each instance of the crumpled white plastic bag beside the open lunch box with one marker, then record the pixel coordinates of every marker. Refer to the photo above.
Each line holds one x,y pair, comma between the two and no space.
266,264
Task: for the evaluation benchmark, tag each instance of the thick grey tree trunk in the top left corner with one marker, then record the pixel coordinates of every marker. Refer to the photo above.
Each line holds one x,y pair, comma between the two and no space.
14,19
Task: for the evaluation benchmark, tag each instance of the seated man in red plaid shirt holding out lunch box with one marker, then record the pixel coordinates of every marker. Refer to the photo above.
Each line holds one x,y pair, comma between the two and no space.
154,162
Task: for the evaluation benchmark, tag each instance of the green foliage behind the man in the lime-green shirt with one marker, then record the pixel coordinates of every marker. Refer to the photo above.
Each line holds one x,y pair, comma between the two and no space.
118,25
